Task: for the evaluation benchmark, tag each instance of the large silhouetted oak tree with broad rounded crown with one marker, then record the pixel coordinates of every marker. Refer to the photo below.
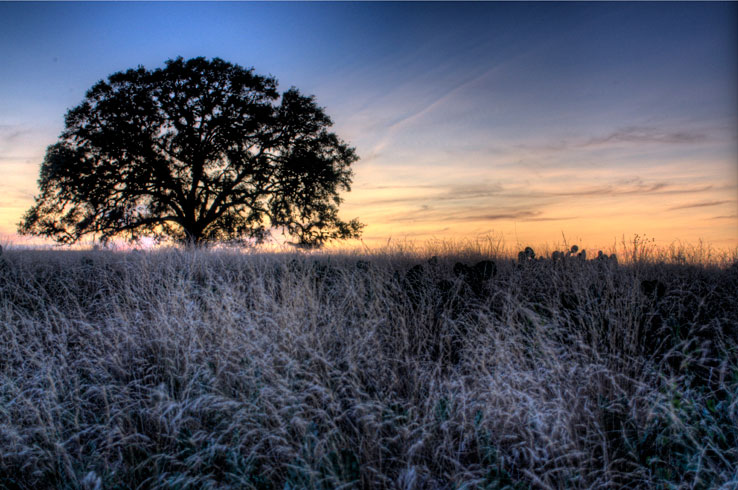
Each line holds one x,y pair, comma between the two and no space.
198,151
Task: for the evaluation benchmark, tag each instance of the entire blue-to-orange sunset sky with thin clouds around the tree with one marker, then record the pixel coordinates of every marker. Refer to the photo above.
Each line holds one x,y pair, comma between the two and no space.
530,122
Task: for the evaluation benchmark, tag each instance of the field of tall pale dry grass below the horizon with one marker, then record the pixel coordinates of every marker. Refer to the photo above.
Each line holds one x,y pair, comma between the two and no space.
216,369
